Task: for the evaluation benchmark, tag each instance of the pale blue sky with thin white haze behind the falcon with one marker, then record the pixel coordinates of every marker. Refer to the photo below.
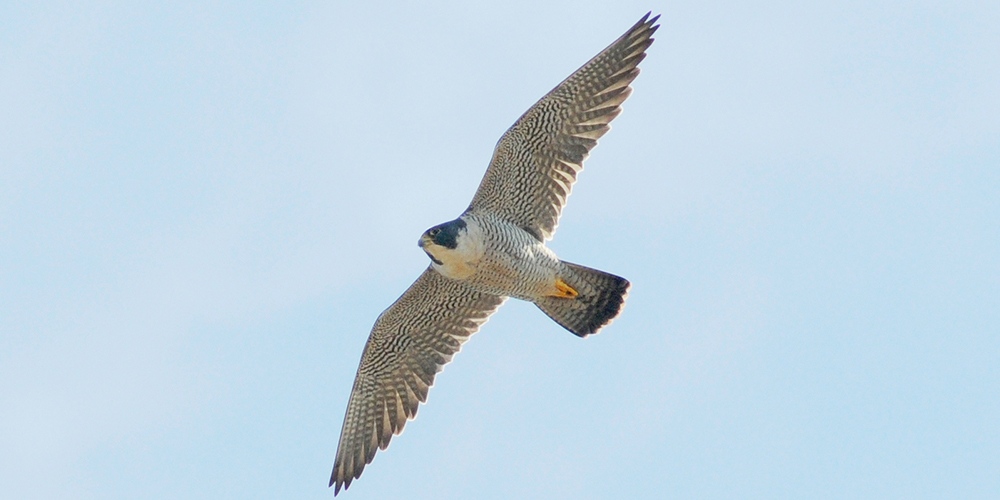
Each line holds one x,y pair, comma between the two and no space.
204,208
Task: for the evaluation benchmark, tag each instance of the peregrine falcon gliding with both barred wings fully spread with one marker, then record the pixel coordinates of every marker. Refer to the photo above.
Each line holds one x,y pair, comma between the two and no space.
495,250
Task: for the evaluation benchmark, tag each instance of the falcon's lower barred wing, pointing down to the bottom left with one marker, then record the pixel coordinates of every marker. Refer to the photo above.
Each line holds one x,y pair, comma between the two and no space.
411,341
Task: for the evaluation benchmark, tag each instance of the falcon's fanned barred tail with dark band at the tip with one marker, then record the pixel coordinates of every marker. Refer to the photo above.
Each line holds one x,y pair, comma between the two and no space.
599,300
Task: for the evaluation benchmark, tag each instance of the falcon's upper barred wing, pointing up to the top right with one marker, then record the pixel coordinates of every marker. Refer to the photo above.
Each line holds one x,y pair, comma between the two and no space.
536,161
